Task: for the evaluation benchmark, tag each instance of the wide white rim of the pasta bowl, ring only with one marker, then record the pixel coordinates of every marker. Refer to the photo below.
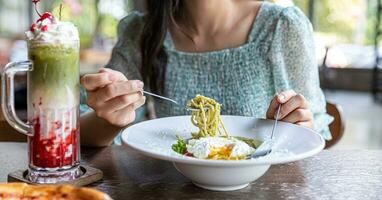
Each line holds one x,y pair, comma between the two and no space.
221,163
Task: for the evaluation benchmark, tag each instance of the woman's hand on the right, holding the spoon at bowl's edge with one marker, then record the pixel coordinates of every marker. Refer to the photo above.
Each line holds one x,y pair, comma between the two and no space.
295,109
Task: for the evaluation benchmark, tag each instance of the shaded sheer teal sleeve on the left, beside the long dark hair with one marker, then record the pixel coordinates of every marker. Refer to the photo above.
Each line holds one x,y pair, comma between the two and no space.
126,53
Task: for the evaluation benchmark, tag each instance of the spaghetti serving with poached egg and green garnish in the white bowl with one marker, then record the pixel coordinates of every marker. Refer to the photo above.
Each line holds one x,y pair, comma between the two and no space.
212,140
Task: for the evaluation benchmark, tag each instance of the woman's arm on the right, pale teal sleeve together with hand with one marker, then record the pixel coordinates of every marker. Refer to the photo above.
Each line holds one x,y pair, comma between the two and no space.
295,68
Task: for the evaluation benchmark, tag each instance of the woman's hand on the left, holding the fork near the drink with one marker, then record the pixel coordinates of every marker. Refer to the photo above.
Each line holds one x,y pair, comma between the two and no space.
113,97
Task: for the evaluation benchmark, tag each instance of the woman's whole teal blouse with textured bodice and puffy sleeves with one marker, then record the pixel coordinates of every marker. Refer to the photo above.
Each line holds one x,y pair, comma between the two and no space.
278,55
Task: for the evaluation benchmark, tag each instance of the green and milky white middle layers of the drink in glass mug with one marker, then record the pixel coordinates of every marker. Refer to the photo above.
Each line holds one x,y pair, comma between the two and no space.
55,75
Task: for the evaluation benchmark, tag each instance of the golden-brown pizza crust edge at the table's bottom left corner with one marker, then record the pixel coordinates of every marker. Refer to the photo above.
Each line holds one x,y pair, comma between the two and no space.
49,192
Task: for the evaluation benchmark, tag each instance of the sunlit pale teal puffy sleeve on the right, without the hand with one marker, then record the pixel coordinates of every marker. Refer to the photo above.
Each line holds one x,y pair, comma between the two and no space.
295,66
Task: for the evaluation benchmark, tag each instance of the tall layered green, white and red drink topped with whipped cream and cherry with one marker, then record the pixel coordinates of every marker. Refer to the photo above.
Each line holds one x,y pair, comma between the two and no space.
53,100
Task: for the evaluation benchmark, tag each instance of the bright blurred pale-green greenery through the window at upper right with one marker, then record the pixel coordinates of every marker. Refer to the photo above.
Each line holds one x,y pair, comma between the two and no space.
350,21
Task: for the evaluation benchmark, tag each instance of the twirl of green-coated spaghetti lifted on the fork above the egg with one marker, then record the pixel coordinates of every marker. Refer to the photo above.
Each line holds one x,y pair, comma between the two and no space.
207,117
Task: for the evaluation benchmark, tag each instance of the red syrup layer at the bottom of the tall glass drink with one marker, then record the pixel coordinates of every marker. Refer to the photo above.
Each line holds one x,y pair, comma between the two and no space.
52,149
